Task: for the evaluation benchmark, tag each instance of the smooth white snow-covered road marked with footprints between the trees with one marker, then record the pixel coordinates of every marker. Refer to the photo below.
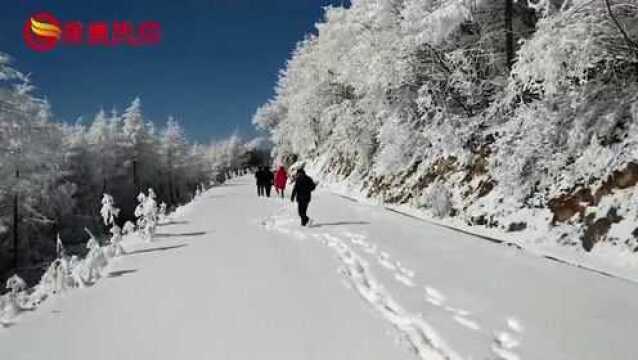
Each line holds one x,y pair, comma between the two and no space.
235,277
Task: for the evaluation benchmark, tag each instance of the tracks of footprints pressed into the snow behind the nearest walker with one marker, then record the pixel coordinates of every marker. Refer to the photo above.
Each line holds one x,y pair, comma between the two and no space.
421,337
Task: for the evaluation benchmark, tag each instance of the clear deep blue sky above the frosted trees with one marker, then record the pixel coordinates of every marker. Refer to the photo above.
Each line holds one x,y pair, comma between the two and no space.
218,59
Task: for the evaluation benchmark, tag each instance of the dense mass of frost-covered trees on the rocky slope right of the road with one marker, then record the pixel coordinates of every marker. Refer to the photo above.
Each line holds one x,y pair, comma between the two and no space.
409,97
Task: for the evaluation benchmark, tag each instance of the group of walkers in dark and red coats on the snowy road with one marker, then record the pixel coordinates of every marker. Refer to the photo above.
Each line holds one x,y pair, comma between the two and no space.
303,187
